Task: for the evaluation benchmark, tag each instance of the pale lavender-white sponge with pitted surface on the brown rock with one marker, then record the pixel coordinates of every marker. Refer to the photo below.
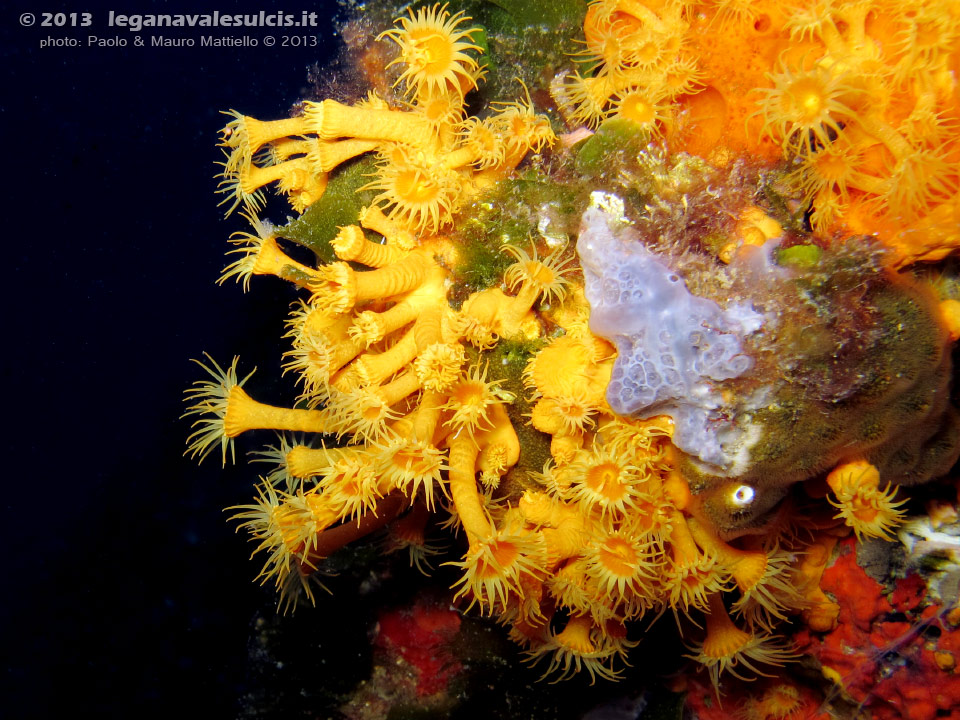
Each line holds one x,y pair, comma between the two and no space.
674,348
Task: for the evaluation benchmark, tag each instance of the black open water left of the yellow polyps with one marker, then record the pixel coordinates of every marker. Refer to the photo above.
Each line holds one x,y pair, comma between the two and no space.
125,593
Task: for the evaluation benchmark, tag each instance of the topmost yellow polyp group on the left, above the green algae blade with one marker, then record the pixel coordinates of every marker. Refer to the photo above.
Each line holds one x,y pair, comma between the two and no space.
431,155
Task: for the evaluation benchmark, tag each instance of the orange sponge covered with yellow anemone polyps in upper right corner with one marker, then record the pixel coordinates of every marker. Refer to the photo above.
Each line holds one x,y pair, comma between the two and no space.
859,98
